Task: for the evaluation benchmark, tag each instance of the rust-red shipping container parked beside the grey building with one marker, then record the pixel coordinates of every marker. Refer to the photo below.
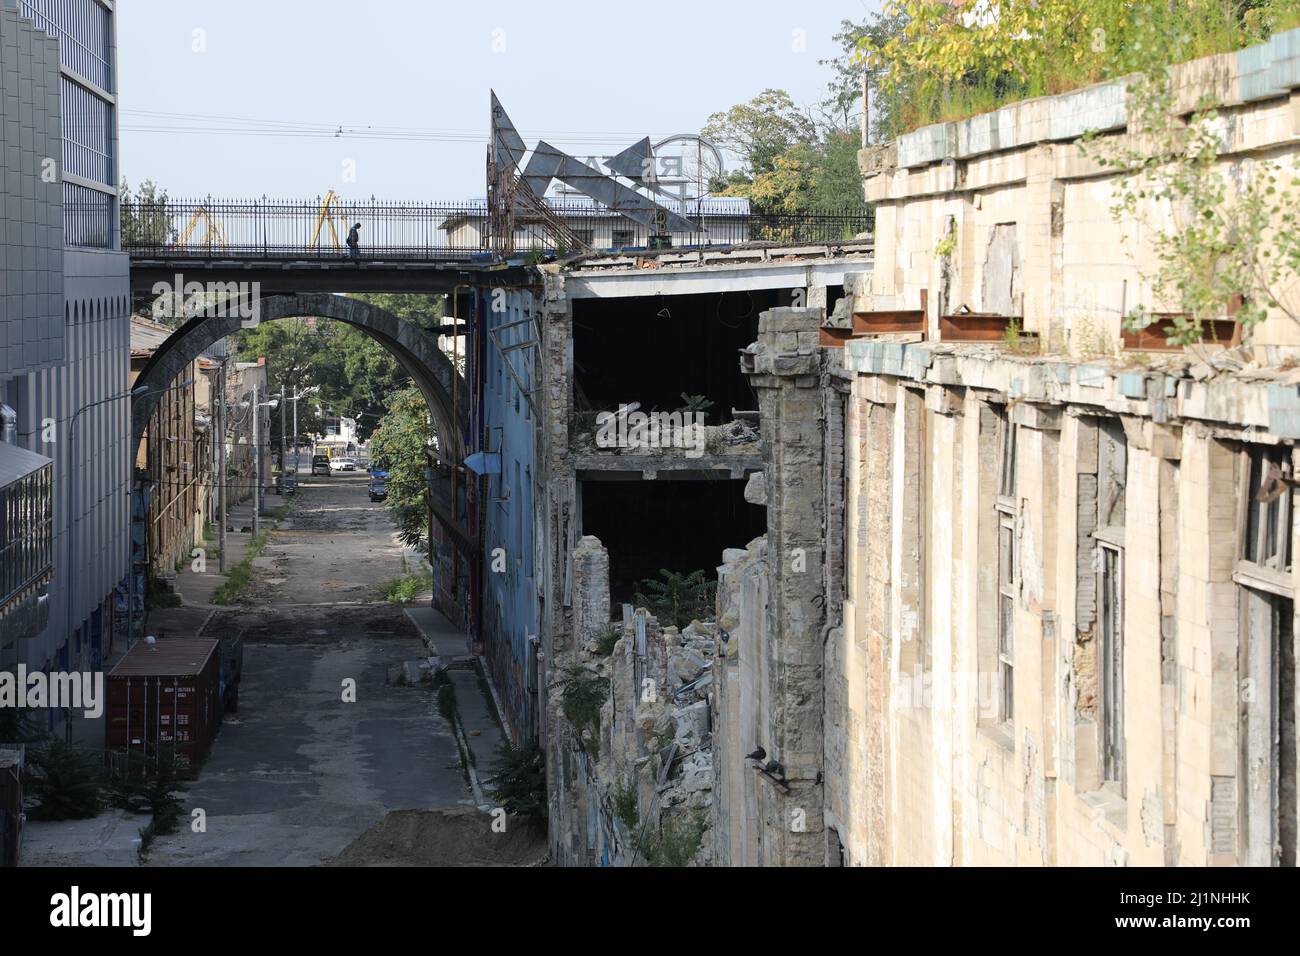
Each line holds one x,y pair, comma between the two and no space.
166,694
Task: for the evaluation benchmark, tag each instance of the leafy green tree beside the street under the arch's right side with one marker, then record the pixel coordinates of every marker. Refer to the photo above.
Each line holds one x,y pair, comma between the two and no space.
402,443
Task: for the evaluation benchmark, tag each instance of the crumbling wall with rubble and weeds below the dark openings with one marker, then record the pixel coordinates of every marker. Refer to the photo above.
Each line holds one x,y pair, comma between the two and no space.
638,789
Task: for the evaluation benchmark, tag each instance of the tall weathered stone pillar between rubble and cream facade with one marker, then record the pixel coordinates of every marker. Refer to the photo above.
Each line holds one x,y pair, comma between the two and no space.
785,369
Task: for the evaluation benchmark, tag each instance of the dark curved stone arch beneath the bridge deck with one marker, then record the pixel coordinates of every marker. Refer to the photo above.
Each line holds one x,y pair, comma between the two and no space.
415,351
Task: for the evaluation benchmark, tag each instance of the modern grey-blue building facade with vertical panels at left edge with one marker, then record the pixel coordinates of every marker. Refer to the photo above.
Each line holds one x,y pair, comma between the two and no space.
67,331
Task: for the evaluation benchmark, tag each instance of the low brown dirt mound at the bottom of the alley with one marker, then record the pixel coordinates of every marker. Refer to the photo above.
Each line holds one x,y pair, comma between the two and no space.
457,837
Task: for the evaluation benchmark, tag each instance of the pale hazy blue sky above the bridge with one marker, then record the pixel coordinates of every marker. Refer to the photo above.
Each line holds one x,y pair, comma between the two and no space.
241,98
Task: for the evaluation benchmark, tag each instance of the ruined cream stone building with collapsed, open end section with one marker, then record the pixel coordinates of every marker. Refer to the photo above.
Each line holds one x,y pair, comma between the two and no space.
1020,590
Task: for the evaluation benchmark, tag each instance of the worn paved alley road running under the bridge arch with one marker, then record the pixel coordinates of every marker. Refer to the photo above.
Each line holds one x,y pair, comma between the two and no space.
297,775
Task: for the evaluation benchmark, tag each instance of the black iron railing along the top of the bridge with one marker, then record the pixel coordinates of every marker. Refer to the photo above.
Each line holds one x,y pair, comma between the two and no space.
396,231
